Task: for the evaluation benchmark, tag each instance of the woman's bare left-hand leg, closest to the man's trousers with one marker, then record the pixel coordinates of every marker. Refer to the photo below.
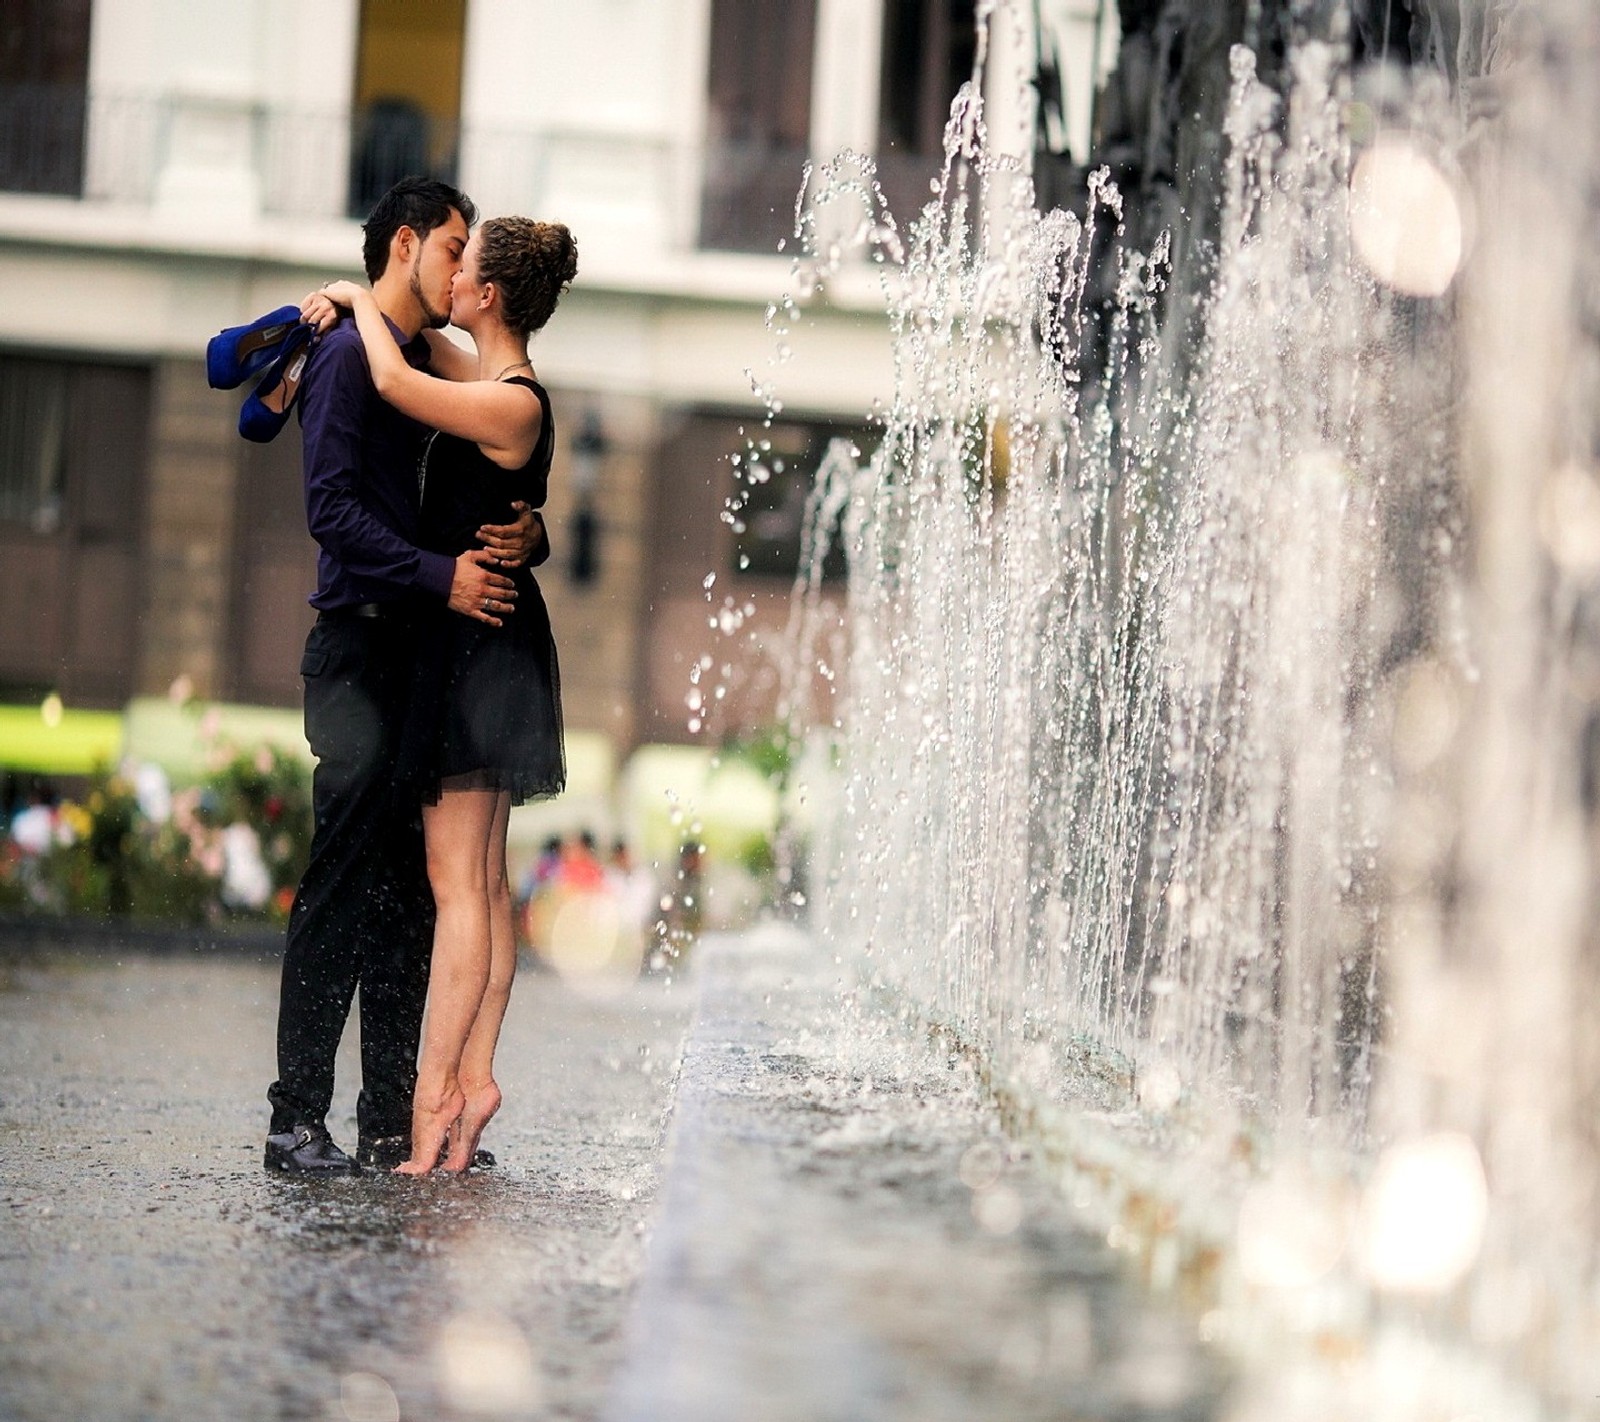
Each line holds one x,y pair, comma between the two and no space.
458,834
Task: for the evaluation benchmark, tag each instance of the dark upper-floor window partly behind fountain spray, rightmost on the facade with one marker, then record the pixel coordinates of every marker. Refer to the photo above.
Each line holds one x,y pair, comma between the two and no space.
929,54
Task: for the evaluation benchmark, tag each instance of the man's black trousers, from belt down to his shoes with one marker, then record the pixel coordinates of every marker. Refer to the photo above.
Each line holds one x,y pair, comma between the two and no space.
364,914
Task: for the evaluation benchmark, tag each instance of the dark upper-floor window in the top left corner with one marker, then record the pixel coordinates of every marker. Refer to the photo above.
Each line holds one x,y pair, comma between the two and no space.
44,95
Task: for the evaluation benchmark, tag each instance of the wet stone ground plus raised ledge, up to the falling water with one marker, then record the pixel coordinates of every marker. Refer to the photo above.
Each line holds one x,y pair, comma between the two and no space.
719,1199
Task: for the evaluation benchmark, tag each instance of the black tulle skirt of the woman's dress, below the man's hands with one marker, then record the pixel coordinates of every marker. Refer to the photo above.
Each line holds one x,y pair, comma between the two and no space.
487,706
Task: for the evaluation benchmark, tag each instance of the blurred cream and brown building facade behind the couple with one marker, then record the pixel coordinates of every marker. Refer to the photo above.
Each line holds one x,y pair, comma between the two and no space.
174,167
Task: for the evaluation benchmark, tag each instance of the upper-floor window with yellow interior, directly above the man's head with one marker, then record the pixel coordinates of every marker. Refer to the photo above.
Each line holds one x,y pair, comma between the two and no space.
407,95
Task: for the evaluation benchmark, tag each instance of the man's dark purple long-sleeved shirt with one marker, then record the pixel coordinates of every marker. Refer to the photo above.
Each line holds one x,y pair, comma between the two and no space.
362,473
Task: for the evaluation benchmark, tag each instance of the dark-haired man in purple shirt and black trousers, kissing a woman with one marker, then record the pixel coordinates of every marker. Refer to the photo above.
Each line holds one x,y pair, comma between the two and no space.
364,914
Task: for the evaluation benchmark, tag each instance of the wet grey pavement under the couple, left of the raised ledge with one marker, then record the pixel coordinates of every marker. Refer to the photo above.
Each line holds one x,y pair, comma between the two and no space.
153,1269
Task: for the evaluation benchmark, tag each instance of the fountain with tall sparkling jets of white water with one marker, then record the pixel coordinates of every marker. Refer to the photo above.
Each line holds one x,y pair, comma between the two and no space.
1220,735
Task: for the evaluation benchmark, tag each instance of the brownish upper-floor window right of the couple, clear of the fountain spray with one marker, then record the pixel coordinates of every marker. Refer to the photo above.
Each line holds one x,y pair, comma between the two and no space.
759,97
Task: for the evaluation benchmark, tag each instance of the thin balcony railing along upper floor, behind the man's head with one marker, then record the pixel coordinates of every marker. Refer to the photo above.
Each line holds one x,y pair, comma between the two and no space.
238,158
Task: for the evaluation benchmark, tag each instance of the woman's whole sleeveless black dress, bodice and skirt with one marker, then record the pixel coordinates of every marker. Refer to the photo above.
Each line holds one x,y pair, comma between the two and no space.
487,713
